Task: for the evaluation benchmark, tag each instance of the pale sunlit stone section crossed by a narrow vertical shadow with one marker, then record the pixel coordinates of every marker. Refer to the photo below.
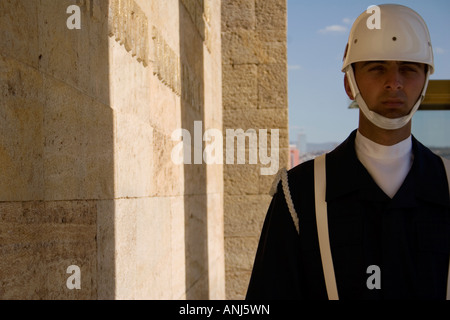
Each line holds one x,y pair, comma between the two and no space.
168,225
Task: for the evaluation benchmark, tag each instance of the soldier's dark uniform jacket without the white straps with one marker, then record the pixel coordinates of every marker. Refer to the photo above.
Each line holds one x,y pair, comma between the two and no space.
407,237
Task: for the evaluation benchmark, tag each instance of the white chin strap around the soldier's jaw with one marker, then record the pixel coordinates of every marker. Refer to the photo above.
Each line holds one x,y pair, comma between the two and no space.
378,119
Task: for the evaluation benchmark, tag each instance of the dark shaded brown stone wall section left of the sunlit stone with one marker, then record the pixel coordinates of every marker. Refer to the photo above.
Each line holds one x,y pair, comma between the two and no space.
56,149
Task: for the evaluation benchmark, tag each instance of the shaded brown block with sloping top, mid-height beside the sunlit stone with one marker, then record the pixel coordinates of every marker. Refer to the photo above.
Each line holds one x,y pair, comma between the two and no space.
78,145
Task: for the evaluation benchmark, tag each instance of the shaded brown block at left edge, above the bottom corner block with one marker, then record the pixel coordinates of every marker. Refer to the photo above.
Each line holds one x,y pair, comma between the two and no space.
21,132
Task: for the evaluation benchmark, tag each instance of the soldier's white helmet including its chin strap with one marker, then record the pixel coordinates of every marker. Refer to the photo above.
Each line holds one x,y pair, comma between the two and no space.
402,36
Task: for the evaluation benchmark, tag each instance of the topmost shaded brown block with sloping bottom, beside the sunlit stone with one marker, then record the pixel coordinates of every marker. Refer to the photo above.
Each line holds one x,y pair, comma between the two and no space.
76,57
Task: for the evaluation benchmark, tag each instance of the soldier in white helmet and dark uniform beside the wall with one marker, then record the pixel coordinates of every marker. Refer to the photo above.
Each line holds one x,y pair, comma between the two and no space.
377,203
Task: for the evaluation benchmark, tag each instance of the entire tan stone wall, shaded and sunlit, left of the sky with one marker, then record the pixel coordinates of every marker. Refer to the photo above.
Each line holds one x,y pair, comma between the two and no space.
90,132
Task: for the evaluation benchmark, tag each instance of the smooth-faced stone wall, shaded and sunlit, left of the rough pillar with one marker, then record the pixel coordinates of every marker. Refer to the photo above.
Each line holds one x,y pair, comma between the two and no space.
86,173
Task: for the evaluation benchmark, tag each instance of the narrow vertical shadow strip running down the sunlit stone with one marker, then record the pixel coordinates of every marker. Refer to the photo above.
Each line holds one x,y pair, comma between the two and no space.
195,179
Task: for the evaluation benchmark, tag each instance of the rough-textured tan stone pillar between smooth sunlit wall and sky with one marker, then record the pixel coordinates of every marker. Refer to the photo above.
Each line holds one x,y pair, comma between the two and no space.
254,62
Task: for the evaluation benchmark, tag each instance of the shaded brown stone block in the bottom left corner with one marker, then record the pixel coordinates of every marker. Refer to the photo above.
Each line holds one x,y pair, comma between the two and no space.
39,241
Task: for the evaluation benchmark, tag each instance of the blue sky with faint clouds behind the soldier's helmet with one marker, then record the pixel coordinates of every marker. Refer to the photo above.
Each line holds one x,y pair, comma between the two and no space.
317,34
